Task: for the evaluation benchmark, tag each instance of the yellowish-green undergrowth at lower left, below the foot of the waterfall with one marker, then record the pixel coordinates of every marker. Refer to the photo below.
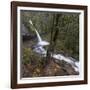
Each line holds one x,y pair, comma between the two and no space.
32,60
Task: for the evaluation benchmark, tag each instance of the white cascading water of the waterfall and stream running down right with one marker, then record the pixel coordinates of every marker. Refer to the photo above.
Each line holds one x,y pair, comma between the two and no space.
40,49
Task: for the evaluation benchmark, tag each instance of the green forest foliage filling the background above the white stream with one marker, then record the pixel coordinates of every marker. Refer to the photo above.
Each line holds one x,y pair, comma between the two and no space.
68,25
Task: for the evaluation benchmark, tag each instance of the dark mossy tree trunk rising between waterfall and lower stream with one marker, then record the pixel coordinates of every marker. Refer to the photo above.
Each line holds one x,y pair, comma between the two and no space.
53,38
